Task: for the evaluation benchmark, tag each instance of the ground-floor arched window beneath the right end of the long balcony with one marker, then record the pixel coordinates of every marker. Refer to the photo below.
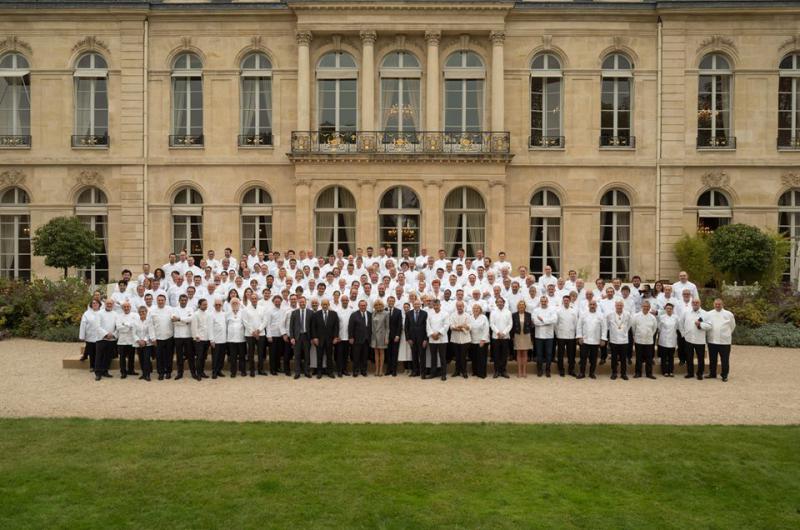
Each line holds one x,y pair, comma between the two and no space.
464,222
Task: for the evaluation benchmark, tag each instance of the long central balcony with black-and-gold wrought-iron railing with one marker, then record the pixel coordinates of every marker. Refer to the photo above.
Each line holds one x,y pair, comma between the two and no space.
390,145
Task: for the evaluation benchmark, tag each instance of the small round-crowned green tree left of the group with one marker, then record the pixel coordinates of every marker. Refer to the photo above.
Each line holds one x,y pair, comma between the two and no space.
66,242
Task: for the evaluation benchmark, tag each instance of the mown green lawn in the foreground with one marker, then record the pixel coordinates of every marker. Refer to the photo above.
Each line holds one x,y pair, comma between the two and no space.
148,474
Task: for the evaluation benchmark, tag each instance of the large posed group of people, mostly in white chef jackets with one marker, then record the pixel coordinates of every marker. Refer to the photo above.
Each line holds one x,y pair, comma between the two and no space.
301,315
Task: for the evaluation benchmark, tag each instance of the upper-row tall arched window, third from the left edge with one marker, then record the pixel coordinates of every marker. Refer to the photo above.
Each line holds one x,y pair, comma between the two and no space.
187,101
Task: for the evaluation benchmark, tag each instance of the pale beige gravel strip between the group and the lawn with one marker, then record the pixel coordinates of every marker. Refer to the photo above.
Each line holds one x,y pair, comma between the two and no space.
763,389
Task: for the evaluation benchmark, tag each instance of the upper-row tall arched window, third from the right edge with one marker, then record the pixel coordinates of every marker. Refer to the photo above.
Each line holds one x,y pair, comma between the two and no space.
616,102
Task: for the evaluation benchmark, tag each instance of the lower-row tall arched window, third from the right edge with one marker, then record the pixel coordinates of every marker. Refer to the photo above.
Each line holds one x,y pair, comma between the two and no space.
615,235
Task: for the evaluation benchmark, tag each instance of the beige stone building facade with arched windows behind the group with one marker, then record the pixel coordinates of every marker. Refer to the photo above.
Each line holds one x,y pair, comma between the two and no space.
587,135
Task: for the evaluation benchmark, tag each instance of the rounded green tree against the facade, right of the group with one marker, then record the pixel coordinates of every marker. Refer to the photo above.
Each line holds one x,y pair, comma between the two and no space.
741,251
